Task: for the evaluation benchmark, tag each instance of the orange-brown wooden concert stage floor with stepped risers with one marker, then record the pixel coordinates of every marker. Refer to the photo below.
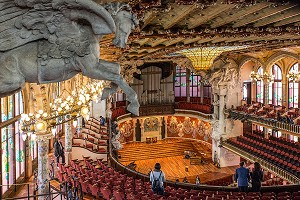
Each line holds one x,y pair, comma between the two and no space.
170,154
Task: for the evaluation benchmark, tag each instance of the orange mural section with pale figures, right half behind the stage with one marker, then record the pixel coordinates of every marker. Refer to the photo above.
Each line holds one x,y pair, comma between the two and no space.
188,127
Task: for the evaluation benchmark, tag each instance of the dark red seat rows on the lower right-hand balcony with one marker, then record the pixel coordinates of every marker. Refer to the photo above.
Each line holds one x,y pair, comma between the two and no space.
285,155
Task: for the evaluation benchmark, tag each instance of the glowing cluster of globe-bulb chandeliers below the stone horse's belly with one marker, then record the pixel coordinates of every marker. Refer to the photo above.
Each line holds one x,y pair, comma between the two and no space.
64,109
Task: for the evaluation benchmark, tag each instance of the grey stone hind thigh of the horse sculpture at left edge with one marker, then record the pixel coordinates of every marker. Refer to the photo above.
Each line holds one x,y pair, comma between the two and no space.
11,79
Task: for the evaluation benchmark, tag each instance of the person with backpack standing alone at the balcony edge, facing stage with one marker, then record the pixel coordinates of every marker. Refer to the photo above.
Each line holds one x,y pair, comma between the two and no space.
157,178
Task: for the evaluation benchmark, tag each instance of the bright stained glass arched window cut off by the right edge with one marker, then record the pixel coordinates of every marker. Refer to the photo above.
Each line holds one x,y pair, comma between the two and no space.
293,95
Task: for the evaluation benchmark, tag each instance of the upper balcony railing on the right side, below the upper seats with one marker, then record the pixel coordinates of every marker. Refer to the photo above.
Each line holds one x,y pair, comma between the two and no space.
267,122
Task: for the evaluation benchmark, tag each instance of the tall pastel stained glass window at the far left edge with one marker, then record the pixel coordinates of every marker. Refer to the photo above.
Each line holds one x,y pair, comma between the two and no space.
12,146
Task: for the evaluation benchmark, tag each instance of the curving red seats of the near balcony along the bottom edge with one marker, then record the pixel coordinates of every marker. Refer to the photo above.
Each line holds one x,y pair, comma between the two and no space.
99,180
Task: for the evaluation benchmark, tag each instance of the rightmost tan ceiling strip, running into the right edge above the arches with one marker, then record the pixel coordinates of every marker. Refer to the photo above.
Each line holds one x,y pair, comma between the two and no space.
281,16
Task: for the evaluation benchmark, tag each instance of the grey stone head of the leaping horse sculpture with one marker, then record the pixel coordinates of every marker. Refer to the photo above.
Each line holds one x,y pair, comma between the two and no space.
125,22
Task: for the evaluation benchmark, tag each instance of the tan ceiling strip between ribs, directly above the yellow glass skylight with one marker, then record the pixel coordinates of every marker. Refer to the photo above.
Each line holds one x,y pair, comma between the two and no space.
207,14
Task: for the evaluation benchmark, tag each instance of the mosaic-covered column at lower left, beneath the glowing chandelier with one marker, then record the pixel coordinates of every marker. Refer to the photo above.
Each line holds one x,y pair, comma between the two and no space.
43,164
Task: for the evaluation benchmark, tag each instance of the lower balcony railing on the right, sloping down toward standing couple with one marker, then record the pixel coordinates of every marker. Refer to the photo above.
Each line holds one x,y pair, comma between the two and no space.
266,165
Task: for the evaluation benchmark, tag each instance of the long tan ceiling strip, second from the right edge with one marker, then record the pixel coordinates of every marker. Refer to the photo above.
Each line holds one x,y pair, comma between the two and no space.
263,14
